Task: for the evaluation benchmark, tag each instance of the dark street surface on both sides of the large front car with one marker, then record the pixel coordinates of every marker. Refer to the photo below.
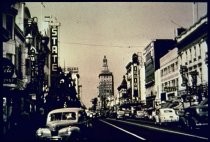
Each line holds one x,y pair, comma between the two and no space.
121,130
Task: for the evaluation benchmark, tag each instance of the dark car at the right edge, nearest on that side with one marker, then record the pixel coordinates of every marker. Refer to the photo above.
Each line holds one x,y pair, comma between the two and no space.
194,117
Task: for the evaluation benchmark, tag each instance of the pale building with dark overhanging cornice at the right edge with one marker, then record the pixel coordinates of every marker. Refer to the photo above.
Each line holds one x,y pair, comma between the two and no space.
192,50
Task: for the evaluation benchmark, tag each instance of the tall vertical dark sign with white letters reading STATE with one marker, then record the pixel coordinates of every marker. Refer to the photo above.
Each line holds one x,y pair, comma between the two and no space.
54,49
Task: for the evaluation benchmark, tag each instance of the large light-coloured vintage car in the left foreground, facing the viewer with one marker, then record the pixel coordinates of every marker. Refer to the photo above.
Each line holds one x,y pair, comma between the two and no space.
64,124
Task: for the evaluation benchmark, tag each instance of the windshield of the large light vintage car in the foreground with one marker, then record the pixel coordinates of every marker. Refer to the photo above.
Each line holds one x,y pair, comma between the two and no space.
63,116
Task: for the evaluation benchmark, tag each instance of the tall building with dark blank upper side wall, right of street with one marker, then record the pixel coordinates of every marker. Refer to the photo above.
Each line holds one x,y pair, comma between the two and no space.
152,54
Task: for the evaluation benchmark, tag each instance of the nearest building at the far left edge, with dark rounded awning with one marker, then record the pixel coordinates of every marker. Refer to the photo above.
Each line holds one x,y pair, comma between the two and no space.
8,75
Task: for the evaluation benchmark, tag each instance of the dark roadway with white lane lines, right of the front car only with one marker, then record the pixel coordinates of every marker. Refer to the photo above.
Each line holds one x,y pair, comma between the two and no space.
111,130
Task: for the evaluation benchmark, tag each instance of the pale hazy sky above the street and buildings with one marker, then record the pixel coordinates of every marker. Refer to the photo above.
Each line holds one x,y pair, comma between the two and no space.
91,30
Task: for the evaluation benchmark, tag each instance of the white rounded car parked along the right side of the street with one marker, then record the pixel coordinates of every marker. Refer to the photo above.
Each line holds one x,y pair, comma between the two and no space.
165,115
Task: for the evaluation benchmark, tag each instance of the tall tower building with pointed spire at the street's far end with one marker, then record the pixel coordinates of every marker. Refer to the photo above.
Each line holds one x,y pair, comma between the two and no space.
106,84
